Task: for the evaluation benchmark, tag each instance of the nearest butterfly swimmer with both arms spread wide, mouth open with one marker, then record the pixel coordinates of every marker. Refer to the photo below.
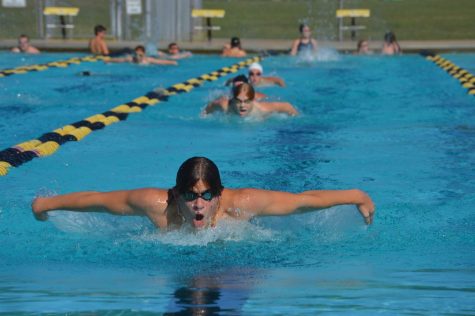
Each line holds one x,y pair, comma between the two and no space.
198,200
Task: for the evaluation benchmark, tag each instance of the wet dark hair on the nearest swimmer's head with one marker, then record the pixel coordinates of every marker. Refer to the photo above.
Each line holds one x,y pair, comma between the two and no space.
195,169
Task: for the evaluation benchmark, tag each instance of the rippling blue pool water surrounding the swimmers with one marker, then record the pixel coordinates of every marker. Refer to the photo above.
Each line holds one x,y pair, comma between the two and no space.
399,128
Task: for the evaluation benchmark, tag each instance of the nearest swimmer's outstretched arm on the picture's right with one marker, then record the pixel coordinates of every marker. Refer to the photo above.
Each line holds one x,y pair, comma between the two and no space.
263,202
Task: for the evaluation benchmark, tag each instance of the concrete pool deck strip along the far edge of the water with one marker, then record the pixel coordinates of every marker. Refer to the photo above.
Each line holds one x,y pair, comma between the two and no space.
250,45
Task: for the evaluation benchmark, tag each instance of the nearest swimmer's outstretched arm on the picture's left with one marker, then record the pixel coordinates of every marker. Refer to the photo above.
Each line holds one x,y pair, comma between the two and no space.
141,202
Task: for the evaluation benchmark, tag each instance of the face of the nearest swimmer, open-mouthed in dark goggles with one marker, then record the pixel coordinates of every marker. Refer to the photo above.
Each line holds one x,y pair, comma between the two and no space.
199,206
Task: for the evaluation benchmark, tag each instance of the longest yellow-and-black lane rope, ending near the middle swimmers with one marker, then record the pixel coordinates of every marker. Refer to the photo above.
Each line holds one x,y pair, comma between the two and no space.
49,143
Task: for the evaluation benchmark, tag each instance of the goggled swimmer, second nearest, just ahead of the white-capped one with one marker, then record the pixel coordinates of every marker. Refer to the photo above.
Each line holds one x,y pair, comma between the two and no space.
244,104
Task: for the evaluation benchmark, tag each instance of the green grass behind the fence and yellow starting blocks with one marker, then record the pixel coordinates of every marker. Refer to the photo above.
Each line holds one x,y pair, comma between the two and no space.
279,19
